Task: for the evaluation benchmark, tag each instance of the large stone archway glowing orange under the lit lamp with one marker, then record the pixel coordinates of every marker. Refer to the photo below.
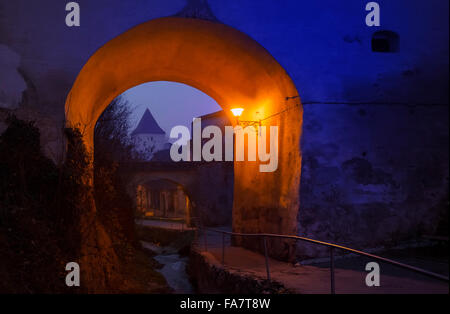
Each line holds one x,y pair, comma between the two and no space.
233,69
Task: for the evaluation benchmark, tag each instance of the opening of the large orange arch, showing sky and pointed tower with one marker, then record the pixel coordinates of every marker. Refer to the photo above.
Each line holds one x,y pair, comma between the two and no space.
134,131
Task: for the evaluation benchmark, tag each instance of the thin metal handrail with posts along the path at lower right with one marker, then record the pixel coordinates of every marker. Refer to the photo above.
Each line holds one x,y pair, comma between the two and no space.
332,247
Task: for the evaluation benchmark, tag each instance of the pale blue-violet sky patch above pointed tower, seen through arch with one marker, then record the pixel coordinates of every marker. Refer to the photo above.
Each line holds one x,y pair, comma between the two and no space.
170,103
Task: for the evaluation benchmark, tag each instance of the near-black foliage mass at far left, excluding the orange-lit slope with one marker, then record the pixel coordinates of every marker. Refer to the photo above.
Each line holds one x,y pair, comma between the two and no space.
39,210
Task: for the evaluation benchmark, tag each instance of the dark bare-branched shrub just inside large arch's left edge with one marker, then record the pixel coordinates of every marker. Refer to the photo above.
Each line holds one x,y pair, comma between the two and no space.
112,146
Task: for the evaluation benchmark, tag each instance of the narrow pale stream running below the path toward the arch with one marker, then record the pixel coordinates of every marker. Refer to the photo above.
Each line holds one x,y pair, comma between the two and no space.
174,269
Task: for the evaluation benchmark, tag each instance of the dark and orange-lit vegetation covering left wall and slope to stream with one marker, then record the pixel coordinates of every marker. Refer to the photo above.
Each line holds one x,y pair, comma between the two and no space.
41,225
